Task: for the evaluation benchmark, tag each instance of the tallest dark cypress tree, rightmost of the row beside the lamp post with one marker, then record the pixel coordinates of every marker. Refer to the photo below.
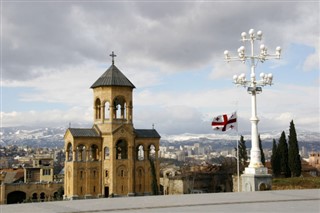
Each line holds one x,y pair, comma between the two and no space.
293,156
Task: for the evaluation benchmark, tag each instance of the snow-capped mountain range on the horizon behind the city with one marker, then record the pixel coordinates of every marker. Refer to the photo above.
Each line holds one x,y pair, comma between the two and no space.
53,137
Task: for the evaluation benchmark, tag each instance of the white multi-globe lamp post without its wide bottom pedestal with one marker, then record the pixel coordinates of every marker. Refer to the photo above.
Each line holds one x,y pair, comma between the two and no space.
253,87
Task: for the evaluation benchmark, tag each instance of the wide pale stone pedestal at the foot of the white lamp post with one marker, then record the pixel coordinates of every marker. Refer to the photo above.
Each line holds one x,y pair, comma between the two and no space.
256,179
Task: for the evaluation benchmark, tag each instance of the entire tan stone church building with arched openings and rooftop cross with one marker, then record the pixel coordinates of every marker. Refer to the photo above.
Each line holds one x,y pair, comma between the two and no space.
112,158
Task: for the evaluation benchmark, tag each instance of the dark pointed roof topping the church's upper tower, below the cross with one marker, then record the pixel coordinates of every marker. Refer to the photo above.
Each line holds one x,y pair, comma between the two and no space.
112,77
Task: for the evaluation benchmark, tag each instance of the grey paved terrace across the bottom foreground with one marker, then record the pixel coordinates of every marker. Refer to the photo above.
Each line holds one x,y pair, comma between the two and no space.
266,201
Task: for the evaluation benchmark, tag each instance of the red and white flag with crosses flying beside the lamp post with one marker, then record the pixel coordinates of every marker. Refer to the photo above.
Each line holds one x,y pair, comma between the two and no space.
223,123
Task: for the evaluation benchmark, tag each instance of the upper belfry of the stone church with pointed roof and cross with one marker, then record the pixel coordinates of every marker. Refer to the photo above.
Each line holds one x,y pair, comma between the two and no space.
112,99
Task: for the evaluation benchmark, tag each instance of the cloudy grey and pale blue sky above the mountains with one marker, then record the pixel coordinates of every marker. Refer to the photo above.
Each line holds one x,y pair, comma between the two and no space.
172,51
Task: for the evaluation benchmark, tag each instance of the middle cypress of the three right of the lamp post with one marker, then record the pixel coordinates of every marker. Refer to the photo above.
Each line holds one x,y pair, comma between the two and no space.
283,155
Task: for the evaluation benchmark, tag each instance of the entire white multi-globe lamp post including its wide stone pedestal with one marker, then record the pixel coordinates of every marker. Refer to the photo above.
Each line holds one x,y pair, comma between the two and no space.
256,176
